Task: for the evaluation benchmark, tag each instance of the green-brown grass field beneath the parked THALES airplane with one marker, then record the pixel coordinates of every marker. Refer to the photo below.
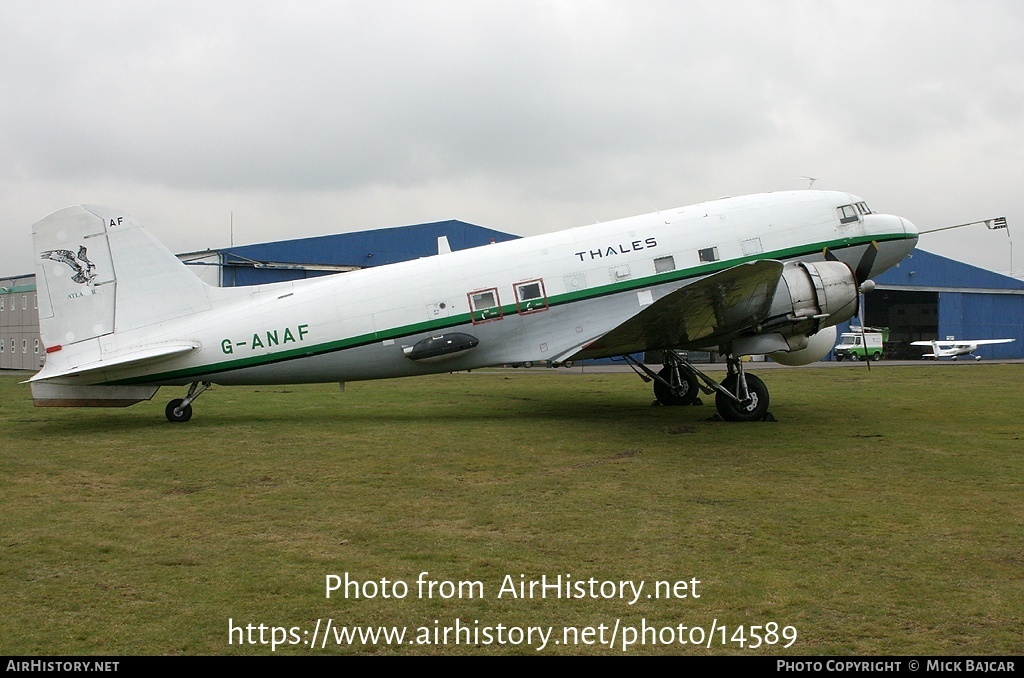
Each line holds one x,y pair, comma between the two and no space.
882,515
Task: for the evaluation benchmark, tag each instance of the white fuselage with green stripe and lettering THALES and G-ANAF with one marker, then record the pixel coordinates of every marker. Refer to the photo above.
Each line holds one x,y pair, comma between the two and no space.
538,299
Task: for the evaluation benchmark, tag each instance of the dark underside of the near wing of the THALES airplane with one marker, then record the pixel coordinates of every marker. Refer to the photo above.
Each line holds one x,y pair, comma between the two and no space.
703,314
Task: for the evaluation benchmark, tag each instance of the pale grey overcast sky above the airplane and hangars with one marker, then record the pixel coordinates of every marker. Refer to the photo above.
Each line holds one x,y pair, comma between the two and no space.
313,118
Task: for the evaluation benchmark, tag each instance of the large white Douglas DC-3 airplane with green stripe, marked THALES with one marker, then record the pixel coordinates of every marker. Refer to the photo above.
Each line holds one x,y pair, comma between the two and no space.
120,316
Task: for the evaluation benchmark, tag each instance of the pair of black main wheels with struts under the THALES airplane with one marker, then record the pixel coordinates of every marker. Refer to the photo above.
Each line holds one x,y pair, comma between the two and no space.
740,397
